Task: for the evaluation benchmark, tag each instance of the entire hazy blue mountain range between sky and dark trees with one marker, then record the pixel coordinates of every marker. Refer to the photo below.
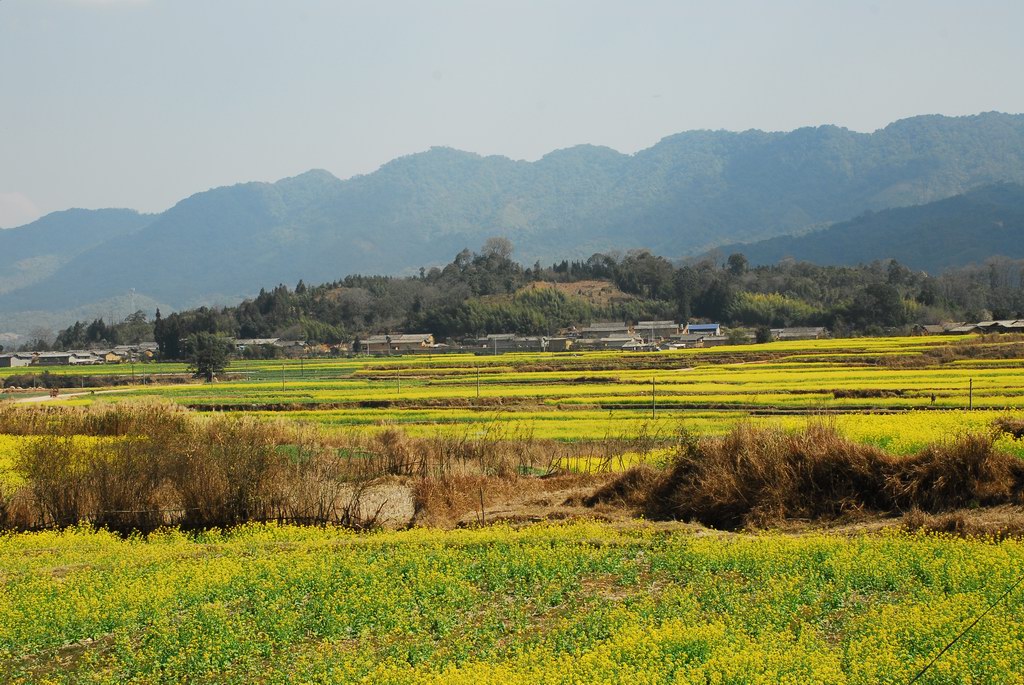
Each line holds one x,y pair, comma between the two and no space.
689,193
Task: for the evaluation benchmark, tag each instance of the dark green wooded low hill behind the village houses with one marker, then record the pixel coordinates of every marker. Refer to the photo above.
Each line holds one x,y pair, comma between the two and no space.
489,292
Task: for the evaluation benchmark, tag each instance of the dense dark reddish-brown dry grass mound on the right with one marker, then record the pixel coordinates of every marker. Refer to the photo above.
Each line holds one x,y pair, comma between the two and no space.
760,477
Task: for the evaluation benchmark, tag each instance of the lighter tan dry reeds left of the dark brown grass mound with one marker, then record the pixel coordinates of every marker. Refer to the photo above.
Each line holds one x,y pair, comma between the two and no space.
141,466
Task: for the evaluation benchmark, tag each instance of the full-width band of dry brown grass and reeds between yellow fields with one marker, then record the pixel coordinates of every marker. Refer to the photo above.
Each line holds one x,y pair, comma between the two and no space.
161,465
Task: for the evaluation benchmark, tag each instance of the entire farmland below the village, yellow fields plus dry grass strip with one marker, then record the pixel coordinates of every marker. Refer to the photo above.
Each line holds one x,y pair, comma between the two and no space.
581,602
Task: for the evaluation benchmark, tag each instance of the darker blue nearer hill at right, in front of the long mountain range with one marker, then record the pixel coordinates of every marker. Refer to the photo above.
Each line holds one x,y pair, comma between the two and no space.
954,232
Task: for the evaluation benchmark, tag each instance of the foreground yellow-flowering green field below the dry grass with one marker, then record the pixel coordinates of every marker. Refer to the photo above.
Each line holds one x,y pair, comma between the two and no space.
580,604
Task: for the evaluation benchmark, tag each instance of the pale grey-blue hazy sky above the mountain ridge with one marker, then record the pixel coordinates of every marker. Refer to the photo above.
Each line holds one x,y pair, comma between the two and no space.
141,104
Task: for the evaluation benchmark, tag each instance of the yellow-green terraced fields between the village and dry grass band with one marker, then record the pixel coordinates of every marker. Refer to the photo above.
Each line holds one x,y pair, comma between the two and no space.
899,394
